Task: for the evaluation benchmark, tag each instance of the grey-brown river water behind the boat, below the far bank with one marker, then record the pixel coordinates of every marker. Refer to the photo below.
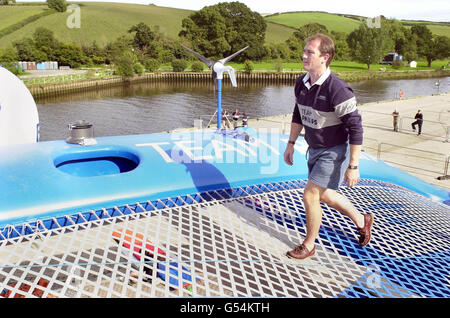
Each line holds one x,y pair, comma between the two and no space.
161,106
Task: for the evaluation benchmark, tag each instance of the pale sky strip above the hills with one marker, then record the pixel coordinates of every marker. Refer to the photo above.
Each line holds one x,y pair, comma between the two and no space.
430,10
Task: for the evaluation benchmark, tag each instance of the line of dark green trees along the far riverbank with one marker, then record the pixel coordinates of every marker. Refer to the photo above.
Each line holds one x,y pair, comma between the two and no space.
220,30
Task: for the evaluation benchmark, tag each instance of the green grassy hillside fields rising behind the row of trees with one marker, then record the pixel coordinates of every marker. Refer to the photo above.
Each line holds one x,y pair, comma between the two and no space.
104,22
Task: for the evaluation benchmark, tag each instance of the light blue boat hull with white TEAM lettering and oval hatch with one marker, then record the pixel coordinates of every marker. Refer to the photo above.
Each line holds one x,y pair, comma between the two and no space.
55,178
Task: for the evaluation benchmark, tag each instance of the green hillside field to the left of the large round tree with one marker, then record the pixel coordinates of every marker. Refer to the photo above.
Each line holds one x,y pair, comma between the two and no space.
103,22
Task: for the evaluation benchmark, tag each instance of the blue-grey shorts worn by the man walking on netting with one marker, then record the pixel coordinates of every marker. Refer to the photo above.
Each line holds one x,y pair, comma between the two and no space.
327,166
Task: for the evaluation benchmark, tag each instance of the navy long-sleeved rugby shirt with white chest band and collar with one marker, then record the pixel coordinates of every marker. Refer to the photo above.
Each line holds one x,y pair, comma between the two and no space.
327,110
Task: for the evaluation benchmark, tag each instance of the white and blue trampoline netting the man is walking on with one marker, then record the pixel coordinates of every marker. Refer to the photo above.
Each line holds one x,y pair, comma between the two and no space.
232,243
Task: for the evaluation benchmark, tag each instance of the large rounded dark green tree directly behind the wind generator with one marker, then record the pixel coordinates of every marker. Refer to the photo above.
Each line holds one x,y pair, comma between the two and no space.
222,29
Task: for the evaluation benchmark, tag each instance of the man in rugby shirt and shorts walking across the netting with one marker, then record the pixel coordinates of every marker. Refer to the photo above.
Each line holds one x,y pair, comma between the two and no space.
326,108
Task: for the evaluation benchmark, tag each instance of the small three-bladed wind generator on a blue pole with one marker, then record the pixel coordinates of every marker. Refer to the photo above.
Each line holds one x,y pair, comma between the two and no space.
218,68
